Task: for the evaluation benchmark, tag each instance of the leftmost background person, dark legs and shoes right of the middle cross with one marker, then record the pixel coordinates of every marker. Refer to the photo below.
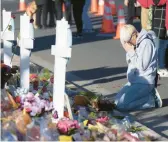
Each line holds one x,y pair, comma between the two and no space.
41,12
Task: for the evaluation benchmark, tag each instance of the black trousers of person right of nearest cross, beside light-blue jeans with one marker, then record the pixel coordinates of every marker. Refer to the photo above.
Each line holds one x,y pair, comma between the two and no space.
77,13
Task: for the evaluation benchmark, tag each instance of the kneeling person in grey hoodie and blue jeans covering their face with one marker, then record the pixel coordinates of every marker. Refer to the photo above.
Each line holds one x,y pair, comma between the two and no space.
141,57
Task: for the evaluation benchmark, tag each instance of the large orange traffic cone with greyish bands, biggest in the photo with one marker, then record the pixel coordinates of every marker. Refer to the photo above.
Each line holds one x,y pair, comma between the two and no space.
107,24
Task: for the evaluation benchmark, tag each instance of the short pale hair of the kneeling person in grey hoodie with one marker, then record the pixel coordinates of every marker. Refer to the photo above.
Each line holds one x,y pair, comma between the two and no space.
126,33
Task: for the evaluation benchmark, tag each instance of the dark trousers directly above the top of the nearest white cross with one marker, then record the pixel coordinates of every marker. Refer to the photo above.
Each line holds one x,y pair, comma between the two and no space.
59,12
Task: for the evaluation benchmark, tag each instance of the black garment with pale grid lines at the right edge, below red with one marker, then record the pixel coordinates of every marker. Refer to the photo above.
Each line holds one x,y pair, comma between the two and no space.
158,22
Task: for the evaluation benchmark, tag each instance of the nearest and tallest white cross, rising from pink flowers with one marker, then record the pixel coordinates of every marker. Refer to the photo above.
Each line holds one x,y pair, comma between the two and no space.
61,51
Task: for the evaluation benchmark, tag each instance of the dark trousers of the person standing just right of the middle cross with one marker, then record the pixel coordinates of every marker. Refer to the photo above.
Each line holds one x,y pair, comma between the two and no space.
41,12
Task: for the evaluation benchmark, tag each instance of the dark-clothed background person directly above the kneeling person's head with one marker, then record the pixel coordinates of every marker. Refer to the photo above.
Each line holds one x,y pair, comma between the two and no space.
132,11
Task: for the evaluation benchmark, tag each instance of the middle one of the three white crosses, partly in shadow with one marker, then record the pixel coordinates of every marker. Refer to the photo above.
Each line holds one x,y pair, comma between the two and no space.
26,44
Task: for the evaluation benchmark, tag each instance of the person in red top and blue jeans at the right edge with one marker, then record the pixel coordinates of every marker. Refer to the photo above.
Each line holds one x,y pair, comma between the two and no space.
160,27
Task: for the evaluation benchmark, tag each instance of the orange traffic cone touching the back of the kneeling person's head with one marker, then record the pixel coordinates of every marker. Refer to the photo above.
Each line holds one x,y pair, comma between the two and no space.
121,21
